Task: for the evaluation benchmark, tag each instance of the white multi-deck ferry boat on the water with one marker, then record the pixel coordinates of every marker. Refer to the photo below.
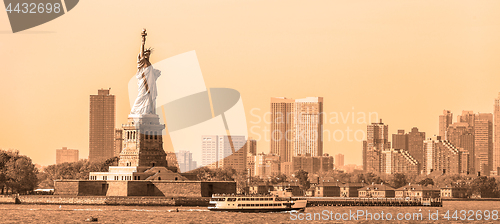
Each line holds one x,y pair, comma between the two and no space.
264,203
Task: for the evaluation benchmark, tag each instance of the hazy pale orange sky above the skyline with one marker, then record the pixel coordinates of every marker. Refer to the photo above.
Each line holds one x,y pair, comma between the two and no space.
406,61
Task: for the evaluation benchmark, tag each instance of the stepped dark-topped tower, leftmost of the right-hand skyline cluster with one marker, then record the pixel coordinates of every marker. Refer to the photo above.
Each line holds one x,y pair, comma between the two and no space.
377,141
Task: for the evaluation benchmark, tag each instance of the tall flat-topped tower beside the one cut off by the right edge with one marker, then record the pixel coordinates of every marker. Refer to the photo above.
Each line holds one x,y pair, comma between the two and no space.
483,142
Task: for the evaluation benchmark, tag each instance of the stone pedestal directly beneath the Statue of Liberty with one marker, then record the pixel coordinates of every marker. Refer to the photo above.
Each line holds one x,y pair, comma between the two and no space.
142,142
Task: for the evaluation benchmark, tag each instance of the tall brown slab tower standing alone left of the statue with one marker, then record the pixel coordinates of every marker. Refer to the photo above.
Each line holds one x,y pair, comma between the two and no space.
102,126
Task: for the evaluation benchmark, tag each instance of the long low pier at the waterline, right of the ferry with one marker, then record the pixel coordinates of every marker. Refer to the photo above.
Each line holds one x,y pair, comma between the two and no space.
337,201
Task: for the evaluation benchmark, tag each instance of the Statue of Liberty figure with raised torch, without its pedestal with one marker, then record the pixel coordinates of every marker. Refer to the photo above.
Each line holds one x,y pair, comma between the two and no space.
146,75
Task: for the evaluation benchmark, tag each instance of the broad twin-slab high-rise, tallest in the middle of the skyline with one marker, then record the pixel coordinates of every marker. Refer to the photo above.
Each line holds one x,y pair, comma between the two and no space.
296,128
